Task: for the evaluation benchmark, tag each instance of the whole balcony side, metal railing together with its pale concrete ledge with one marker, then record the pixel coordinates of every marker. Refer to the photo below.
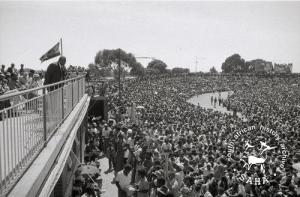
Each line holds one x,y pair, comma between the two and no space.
42,138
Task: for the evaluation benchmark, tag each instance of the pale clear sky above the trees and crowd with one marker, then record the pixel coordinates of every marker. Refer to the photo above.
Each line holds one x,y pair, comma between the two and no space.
177,33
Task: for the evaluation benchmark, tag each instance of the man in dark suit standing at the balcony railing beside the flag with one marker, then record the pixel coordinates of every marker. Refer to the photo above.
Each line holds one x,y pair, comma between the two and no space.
56,72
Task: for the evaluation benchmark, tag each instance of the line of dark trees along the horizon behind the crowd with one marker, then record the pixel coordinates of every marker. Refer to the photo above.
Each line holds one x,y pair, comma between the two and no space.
107,61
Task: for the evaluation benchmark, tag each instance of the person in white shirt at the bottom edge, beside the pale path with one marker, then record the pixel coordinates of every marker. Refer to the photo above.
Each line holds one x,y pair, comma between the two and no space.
123,180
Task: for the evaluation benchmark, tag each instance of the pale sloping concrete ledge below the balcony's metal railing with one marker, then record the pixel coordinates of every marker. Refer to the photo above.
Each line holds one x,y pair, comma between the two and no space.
43,174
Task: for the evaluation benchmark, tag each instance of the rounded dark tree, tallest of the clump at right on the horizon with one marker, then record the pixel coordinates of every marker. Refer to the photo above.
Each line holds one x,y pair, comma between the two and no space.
234,63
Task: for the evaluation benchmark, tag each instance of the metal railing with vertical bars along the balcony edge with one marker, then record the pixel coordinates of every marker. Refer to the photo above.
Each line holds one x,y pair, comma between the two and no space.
28,119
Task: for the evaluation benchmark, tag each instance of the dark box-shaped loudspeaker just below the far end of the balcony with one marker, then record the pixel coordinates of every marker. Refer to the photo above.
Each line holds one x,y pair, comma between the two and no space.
98,107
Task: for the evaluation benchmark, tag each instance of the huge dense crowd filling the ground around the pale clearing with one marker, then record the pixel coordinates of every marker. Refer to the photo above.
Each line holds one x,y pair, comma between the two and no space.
162,145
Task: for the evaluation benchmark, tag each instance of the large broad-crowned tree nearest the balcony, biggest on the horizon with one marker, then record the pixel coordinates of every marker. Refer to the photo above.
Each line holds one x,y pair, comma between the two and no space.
108,60
